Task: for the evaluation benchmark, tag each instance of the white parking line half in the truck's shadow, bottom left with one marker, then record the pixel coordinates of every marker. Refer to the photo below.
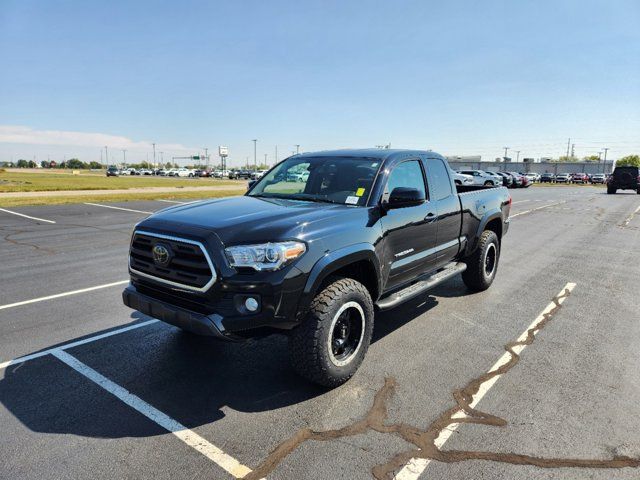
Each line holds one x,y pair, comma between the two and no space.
190,438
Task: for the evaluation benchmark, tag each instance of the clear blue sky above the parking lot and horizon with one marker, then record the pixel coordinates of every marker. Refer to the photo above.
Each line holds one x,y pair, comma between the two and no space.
464,77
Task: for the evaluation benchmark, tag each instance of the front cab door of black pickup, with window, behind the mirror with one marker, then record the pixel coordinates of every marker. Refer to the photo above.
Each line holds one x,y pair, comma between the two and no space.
410,232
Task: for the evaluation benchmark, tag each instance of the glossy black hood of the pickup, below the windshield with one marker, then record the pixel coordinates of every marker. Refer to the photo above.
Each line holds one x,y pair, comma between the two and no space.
246,219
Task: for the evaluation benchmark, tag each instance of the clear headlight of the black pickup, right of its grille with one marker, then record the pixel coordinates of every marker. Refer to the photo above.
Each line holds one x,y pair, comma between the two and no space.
265,256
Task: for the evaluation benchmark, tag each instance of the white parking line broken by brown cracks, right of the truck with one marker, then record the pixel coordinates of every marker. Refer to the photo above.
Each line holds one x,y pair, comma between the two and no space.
416,466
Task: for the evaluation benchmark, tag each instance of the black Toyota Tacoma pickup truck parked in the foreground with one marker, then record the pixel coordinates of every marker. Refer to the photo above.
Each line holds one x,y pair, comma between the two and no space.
313,248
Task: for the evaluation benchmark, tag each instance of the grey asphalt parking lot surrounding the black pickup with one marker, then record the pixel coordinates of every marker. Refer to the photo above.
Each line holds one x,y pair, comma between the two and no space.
89,388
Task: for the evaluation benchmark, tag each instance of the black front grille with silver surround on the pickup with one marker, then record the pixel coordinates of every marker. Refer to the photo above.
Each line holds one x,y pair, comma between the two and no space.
189,265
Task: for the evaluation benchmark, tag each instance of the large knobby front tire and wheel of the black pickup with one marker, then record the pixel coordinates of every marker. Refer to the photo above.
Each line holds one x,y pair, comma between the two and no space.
330,344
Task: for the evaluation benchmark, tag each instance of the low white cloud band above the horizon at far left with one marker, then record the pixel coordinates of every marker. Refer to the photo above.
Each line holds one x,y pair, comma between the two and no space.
28,136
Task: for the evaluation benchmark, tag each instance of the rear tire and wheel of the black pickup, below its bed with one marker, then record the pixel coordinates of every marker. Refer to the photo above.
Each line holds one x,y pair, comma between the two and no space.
482,265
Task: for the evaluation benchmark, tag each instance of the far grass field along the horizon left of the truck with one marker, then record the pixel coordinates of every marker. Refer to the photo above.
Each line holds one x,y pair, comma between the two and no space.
11,181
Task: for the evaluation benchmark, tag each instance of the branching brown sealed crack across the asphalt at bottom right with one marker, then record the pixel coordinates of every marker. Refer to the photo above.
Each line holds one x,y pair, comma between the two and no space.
424,441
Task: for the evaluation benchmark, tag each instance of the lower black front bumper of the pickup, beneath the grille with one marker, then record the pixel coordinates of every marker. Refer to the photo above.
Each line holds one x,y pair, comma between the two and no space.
208,325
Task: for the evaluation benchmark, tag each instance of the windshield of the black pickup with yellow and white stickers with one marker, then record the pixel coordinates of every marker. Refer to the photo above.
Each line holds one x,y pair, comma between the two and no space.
345,180
